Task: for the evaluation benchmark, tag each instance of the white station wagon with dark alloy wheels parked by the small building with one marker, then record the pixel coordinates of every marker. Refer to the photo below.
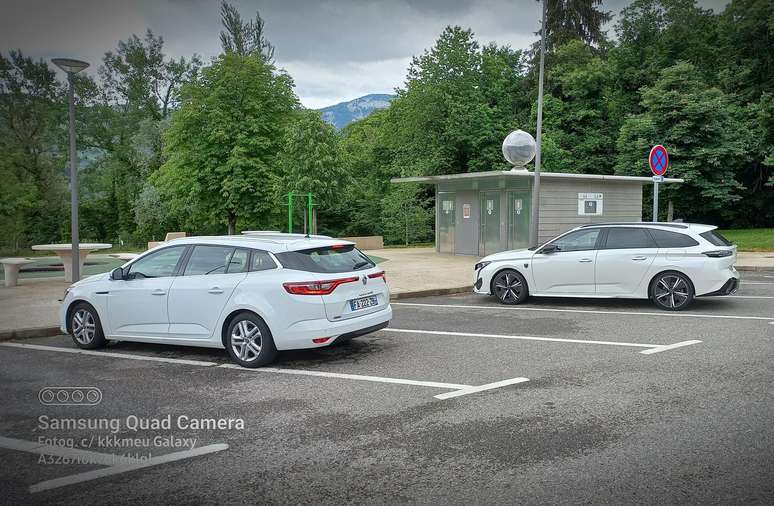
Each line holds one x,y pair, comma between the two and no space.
668,263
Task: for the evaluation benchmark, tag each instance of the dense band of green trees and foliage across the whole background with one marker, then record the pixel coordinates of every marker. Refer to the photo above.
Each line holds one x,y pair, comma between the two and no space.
167,145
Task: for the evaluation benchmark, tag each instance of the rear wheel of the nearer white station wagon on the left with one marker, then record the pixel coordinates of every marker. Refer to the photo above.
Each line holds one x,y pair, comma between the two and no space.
249,341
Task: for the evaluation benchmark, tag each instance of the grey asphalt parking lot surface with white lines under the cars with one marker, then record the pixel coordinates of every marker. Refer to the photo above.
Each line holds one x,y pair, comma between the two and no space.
461,400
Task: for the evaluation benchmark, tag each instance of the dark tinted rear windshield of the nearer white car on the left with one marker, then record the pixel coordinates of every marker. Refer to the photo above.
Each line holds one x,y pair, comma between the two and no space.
330,259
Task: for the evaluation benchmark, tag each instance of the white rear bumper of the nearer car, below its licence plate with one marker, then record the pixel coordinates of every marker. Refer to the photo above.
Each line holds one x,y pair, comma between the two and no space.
299,335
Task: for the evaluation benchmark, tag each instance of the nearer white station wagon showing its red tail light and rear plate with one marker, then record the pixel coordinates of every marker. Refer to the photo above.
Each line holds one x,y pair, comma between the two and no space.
252,295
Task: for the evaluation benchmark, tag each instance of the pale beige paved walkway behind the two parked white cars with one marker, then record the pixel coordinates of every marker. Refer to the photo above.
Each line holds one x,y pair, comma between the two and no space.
35,302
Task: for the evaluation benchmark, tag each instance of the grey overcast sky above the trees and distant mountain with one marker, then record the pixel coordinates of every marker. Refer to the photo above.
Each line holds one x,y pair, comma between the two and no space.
335,50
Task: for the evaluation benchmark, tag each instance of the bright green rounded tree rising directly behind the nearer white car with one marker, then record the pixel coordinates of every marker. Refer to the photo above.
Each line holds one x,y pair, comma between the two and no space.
222,143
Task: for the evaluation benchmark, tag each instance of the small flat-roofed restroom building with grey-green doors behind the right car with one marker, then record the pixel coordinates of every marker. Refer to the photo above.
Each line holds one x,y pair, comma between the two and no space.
480,213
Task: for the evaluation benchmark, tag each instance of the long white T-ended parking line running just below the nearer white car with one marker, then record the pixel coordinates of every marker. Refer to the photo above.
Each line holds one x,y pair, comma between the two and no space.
465,389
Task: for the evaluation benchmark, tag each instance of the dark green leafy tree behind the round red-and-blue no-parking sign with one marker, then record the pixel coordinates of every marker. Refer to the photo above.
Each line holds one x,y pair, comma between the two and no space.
698,126
